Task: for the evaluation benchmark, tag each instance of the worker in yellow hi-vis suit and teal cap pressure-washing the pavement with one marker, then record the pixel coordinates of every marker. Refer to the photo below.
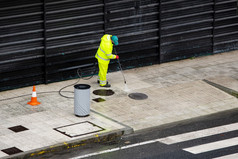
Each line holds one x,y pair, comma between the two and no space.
103,55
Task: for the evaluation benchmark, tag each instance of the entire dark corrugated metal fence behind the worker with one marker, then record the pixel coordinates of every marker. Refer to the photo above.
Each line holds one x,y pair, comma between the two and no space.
44,41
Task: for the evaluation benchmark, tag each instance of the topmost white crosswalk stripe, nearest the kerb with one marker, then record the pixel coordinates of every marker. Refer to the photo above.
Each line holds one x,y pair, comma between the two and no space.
199,134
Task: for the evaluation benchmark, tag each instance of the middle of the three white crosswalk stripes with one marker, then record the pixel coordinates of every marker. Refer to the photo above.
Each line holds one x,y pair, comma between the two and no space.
213,146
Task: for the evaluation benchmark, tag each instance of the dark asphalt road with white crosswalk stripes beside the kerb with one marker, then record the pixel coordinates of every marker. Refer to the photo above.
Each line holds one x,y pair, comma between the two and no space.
214,136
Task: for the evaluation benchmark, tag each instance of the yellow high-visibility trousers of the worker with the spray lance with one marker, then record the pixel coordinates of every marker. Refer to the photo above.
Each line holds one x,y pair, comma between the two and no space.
102,74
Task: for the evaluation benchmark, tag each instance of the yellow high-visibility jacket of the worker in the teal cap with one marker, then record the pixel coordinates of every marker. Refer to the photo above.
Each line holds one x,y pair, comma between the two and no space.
104,52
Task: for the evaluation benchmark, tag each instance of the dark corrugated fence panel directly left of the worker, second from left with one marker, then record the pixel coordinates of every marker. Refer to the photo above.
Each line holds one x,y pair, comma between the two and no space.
73,32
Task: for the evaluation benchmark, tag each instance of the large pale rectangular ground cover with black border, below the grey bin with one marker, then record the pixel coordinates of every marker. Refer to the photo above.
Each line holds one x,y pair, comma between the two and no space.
79,129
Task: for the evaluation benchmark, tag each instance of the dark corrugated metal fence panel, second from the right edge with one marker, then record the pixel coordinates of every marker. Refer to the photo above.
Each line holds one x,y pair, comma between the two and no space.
186,28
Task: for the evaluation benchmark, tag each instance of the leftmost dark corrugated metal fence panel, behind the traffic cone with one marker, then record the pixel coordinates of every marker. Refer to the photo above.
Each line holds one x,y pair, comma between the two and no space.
21,47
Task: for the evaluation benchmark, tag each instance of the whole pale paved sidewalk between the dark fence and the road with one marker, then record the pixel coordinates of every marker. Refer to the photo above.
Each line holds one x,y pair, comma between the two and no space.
176,91
